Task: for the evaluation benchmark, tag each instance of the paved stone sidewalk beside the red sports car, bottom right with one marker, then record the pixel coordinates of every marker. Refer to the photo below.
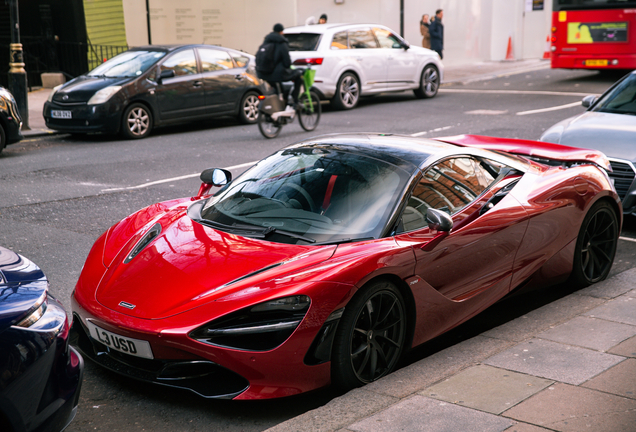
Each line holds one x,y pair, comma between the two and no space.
567,366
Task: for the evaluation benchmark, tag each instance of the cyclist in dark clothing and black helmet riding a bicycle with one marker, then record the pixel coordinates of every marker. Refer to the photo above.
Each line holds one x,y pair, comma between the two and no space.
273,62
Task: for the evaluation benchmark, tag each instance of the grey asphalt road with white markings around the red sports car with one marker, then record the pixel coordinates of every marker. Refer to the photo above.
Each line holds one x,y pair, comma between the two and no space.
59,193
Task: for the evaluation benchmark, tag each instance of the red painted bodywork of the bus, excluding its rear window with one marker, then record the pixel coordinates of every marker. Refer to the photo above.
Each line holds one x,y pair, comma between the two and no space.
573,56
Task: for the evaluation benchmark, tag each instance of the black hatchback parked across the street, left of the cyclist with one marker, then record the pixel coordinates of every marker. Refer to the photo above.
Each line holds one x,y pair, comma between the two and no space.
152,86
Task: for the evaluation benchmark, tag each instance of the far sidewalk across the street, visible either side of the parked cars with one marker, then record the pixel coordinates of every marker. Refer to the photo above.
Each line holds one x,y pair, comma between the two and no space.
453,75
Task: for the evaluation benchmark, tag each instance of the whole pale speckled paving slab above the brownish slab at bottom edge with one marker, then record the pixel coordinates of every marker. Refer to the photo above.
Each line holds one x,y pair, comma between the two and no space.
551,360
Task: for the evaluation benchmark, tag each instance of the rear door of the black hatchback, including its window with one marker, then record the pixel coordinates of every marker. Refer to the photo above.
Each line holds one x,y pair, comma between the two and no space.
224,83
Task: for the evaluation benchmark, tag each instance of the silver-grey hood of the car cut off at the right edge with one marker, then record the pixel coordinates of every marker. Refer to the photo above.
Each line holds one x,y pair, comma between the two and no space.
613,134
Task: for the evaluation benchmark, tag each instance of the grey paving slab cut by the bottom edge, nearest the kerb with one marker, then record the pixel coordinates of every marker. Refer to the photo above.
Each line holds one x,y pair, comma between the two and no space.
419,413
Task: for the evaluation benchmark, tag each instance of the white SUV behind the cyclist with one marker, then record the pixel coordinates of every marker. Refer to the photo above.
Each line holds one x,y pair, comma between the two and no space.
353,60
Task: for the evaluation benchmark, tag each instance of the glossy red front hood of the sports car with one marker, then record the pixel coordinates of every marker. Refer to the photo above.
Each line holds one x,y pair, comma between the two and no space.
189,264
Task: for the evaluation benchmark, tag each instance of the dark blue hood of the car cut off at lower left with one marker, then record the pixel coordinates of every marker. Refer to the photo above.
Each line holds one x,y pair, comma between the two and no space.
22,283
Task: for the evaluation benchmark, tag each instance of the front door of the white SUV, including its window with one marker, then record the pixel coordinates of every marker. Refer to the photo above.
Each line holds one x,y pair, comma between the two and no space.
401,63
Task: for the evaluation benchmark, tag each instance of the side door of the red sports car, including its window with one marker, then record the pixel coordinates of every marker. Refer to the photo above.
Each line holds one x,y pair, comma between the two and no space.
479,252
